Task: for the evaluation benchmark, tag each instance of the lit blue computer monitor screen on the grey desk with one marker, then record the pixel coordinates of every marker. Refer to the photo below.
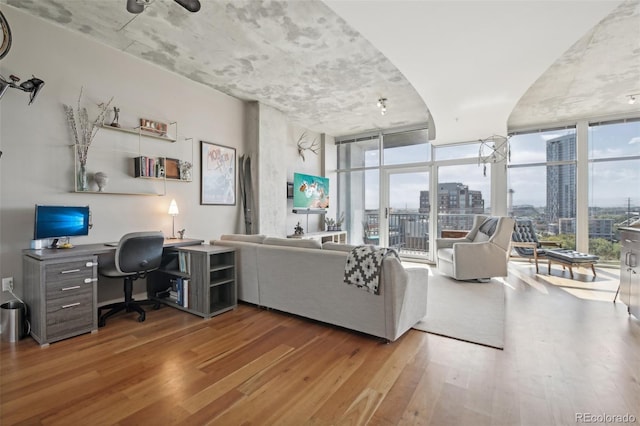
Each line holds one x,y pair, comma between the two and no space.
61,221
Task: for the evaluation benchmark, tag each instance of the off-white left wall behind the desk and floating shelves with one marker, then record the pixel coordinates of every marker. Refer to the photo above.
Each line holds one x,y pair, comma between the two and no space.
37,163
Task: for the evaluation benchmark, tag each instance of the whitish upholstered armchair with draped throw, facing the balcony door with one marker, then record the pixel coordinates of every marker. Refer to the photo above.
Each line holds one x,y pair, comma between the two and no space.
482,254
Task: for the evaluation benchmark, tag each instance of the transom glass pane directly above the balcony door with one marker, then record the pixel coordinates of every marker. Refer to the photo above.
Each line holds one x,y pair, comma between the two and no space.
406,147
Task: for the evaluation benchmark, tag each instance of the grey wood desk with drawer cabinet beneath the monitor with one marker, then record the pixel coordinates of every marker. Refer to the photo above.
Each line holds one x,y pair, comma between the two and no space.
60,288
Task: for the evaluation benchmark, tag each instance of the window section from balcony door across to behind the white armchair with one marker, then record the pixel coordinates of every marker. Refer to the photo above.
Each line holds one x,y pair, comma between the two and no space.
387,189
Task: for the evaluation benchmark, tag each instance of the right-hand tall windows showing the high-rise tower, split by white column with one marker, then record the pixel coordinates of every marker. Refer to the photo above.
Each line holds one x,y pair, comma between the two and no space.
578,184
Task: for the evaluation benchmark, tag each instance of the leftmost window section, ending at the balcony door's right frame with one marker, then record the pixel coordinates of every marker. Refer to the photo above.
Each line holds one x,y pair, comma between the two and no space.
380,206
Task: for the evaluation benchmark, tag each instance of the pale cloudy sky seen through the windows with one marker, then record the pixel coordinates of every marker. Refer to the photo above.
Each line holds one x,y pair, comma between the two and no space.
611,183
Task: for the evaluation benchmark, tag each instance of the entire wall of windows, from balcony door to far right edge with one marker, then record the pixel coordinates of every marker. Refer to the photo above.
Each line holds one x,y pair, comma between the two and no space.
578,183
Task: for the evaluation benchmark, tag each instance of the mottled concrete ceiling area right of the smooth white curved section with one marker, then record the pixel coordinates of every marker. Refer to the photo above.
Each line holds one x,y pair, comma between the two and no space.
593,78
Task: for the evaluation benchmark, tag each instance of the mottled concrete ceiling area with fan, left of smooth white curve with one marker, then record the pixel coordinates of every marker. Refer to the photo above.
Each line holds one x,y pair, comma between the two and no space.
296,56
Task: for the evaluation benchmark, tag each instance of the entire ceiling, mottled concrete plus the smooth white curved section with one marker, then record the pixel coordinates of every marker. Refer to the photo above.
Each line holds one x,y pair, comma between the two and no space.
479,65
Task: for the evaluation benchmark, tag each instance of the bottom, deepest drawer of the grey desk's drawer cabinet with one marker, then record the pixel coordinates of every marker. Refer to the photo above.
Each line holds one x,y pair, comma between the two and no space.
70,314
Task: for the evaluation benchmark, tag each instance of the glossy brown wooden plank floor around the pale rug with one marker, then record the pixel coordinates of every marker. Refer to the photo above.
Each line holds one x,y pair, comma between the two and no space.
569,350
